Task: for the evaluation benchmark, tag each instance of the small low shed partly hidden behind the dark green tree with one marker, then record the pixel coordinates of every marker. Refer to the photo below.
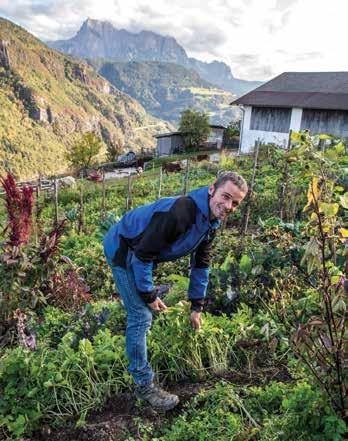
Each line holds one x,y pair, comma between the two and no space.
169,143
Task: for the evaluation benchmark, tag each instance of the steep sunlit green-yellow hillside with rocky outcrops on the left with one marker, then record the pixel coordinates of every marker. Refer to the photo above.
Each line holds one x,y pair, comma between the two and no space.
48,99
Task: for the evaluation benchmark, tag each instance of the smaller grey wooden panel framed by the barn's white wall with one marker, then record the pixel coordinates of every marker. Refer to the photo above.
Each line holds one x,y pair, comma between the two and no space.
270,119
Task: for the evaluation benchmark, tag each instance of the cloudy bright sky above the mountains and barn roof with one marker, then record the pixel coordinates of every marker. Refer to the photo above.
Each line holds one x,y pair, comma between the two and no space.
257,39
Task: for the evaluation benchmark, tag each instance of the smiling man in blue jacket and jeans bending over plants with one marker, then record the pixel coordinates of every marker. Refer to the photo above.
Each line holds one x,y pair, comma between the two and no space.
165,230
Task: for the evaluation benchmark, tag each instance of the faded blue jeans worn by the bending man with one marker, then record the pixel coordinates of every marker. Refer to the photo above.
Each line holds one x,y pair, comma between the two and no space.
139,319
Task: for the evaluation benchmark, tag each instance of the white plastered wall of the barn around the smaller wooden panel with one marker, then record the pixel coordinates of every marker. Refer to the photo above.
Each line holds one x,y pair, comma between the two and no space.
249,137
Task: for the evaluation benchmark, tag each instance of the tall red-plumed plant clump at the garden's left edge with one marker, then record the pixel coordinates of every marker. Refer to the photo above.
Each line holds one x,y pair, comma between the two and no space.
31,275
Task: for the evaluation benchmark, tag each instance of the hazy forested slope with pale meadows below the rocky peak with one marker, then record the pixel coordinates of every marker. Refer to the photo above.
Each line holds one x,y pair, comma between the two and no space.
167,89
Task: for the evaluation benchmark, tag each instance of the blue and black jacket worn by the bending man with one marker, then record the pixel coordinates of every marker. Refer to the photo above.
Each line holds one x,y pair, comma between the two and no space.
162,231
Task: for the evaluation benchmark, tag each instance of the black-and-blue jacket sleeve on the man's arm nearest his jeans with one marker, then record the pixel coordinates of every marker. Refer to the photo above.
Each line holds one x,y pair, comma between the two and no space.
163,230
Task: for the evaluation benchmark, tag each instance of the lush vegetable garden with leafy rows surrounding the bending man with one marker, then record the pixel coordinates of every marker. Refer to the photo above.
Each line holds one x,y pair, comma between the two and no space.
270,361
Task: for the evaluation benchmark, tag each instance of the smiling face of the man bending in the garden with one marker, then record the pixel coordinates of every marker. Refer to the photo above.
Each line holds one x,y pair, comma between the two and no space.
225,199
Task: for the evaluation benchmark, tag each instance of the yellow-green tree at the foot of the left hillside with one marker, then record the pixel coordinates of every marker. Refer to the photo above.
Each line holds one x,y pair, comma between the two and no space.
84,151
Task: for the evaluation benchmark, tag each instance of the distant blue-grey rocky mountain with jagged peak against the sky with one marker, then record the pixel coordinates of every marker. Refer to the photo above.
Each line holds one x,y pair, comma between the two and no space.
100,39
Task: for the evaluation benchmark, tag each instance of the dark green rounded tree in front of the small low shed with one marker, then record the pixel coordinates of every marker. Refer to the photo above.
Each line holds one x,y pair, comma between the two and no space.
194,127
